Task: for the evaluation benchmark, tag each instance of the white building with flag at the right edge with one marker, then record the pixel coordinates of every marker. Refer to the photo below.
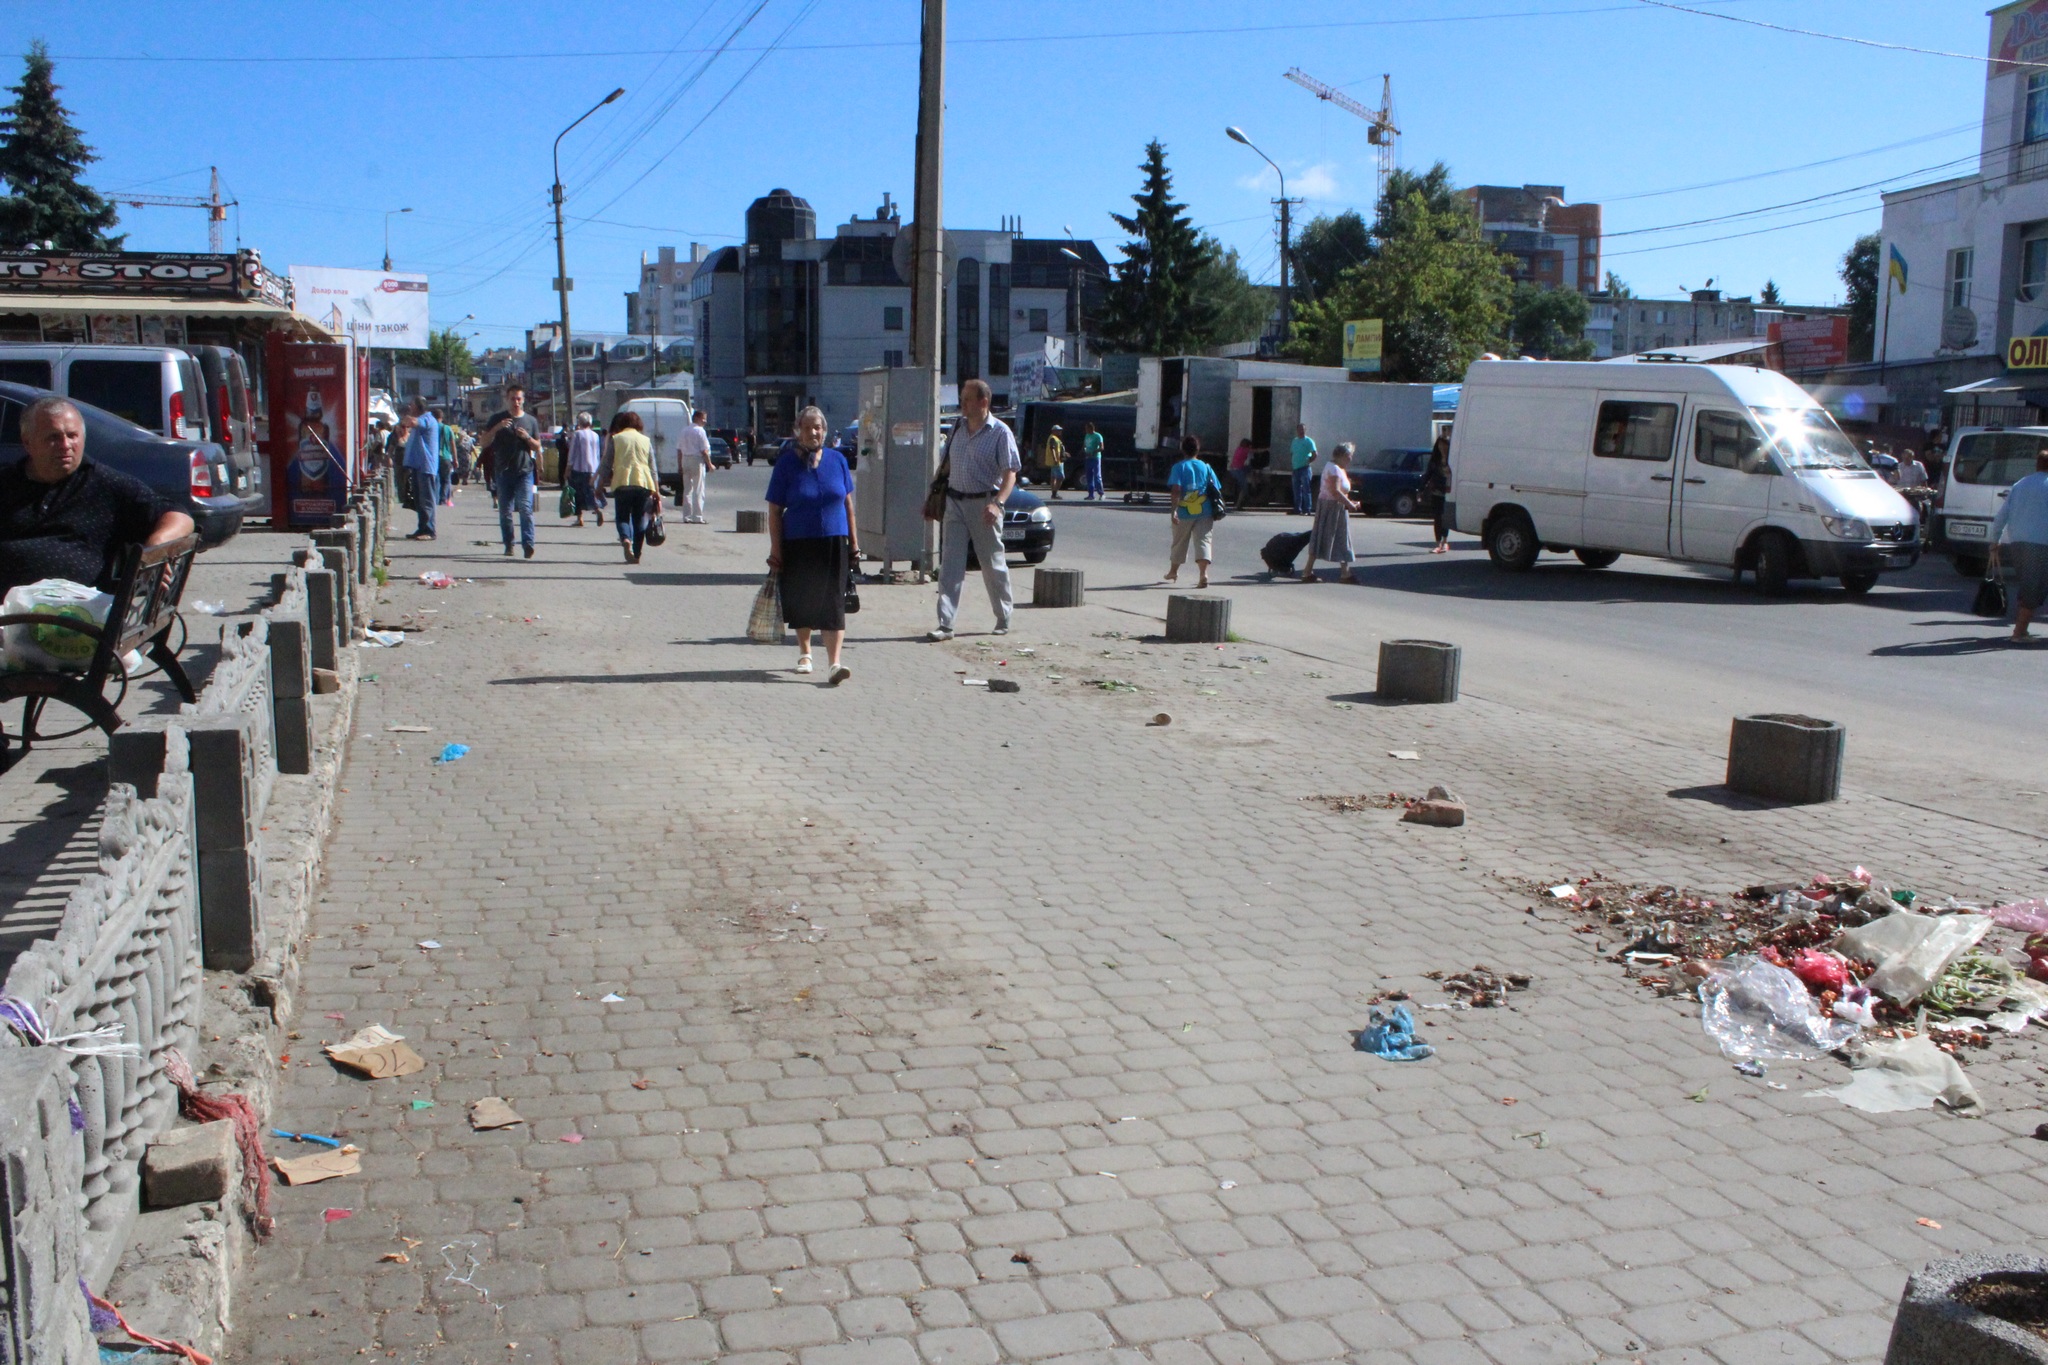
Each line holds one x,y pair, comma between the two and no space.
1963,271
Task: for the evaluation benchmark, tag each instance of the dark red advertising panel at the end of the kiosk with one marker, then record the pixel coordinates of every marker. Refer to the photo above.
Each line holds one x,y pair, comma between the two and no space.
314,431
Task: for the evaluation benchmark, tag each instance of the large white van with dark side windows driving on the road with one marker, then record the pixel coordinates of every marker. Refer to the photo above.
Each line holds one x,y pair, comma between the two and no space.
1707,464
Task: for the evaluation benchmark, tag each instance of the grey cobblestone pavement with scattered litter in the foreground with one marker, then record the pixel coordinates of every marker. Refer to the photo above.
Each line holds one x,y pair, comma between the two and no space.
904,1022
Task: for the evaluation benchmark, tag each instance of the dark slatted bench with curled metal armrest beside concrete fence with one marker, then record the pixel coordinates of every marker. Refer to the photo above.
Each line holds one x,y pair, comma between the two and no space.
142,619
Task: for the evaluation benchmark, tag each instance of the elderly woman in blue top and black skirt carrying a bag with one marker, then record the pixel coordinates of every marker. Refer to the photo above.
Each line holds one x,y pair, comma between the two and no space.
812,539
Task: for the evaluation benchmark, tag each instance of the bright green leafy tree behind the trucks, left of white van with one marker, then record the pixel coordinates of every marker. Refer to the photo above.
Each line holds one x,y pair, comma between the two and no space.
1433,279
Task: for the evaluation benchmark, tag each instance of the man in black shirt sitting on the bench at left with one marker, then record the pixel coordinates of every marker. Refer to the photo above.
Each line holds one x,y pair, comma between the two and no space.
65,517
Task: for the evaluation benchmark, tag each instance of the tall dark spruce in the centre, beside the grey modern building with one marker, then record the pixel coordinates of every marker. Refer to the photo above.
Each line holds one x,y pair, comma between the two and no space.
1152,304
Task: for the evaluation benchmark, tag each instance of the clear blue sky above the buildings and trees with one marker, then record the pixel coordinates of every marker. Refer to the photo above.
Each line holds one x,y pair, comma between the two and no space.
450,109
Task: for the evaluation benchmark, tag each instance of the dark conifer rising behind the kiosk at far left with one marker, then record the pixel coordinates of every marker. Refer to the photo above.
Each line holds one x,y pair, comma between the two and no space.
42,157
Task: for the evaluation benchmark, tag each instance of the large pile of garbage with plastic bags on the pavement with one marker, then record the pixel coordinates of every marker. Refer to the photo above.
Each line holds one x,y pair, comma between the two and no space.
1840,965
